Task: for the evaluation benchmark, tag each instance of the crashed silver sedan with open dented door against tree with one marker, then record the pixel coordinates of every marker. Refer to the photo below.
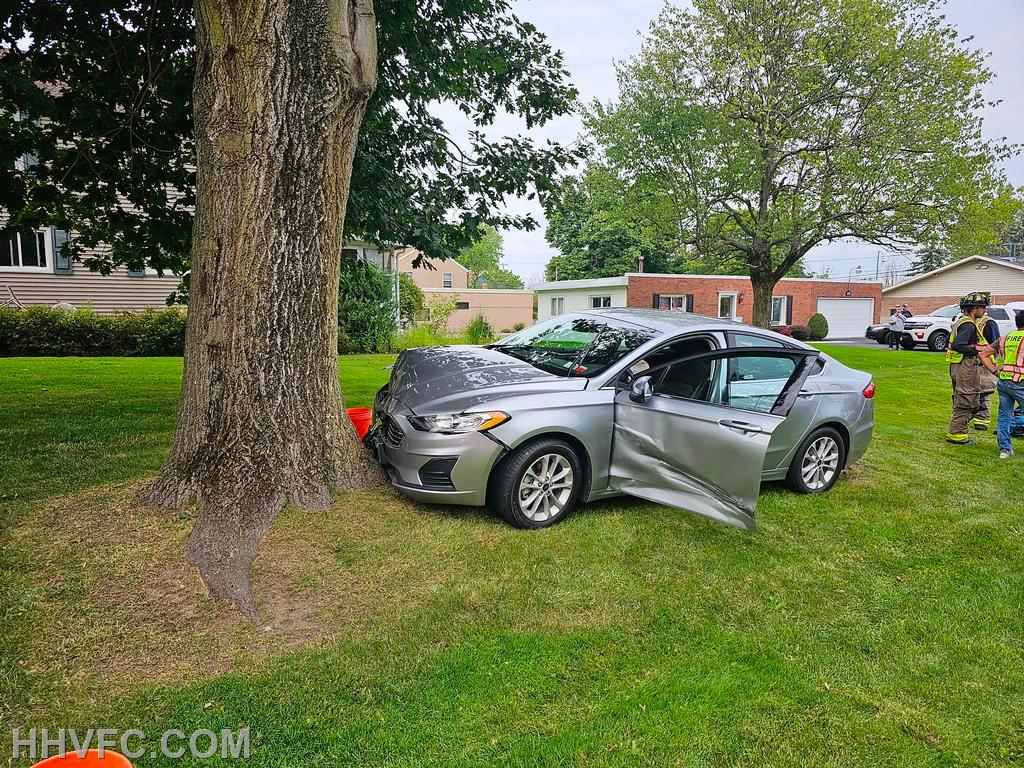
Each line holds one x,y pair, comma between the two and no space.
670,407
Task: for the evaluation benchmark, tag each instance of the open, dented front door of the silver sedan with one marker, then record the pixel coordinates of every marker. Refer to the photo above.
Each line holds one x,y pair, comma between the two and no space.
694,434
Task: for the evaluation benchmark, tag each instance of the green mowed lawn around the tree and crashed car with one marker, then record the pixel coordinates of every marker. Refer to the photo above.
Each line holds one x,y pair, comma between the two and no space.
877,626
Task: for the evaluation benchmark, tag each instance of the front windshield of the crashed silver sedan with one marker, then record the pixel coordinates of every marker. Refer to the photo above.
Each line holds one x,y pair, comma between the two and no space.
574,347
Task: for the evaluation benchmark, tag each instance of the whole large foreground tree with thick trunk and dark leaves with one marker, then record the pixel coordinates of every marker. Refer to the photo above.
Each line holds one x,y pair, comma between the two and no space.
257,123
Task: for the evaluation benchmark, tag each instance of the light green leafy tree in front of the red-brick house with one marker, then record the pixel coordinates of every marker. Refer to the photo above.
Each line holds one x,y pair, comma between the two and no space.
774,126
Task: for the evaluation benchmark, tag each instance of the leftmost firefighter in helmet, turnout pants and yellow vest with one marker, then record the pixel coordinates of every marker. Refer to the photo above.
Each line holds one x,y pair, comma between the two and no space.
965,366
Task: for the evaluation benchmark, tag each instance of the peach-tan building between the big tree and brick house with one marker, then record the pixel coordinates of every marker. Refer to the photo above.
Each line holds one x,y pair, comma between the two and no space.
503,309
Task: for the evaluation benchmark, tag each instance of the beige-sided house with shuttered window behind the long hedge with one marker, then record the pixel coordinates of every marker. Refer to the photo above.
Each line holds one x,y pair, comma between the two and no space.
32,272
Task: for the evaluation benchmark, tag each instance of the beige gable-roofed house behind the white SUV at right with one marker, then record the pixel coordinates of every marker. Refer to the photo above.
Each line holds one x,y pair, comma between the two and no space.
1002,278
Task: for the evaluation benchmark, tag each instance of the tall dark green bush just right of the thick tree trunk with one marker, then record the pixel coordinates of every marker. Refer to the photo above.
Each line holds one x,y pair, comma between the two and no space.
366,309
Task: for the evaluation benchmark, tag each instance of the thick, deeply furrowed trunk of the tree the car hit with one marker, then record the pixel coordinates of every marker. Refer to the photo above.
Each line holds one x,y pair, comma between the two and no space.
281,88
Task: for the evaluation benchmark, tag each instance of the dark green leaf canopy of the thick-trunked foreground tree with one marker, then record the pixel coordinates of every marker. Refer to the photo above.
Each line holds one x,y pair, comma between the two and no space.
116,145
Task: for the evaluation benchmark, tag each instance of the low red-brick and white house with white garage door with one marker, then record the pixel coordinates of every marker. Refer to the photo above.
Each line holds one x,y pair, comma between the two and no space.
849,307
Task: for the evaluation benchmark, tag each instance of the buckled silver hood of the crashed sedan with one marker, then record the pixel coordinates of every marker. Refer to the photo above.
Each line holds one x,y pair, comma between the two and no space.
454,378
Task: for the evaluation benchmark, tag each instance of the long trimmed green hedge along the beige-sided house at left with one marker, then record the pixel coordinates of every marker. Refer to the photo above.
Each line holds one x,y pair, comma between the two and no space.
40,331
